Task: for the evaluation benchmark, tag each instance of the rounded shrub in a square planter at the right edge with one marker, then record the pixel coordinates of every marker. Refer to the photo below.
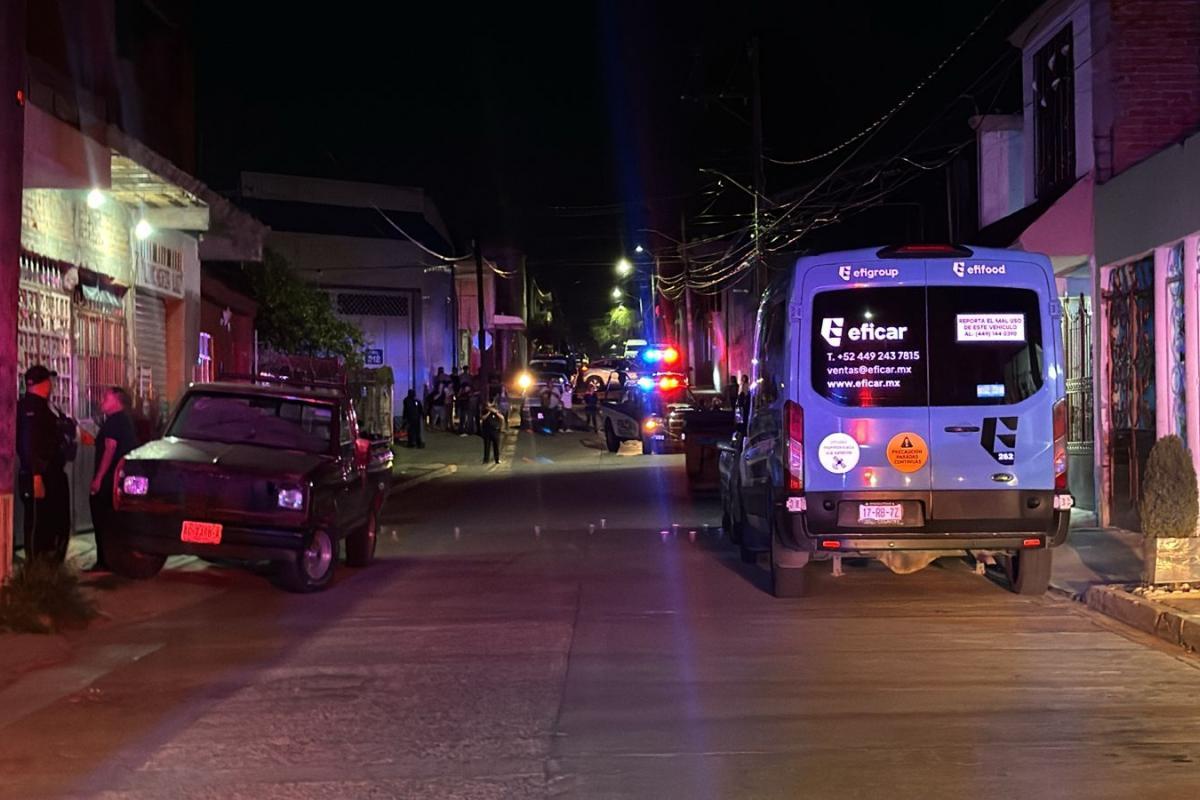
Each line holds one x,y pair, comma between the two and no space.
1169,510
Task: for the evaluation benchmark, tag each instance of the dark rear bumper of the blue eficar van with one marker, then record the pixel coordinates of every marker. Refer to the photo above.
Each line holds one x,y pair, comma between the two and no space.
951,521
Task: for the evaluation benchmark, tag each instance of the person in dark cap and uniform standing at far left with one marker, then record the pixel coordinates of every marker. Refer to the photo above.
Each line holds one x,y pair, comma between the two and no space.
43,479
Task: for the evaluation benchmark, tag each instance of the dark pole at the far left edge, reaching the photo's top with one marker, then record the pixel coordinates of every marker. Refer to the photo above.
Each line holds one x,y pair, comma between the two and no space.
13,148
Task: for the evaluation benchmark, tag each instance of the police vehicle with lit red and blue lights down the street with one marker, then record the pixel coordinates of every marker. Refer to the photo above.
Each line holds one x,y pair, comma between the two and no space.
647,412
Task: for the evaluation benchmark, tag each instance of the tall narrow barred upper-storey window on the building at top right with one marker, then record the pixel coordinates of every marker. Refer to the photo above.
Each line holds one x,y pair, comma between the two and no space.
1054,115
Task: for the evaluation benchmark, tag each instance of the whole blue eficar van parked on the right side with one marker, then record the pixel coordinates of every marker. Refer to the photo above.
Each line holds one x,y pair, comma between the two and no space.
908,404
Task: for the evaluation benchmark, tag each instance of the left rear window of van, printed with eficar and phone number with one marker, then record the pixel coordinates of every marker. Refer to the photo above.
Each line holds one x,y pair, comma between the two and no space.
869,346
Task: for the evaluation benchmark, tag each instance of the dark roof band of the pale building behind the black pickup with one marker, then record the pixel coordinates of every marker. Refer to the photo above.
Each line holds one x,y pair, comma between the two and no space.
292,216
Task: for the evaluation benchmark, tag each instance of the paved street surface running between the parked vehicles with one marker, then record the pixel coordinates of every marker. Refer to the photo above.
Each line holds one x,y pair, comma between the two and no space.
511,645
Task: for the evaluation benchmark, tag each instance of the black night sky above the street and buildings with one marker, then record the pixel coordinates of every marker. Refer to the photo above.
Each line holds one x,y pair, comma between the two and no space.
563,129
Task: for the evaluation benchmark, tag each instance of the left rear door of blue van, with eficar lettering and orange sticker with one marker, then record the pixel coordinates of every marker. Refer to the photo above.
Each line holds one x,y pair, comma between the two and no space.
866,396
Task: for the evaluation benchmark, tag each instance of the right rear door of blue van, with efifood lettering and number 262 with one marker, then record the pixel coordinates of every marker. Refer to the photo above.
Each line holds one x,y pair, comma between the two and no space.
992,399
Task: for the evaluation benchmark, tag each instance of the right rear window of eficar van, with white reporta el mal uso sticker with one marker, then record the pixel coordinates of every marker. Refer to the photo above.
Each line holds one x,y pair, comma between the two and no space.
986,346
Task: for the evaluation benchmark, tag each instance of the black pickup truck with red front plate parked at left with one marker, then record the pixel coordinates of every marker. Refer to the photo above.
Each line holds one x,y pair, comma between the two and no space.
254,473
